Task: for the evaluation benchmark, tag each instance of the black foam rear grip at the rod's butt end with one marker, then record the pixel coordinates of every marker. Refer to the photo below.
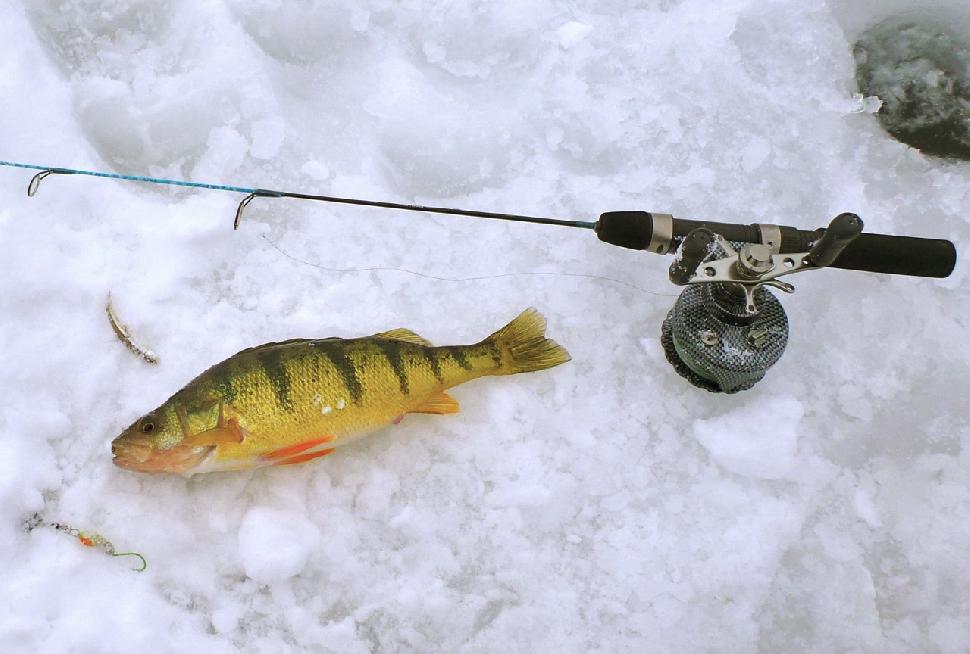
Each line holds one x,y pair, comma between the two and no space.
898,255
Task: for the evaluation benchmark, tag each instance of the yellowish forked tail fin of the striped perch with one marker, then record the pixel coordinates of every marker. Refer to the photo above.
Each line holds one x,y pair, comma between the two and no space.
524,345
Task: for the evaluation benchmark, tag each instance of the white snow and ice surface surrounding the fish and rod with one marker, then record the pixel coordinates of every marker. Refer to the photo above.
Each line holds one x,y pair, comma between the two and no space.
603,506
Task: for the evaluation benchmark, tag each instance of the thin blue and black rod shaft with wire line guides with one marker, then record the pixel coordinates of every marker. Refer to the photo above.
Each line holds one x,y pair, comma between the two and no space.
47,171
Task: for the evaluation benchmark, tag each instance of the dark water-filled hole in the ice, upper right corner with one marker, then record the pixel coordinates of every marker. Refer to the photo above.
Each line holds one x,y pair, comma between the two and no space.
921,73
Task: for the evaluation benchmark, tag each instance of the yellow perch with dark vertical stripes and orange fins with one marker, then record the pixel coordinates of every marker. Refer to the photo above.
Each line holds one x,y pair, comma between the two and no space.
294,401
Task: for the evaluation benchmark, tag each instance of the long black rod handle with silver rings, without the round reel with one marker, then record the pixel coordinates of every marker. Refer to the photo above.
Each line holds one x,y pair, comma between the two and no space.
878,253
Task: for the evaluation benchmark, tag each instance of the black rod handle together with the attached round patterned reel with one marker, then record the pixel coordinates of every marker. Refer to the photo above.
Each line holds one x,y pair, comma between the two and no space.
726,328
